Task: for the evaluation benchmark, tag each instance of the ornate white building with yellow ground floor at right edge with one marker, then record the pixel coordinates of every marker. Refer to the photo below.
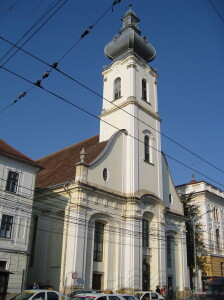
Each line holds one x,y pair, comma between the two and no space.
210,201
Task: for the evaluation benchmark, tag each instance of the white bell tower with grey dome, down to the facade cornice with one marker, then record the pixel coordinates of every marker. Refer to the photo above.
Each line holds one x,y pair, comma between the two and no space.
130,103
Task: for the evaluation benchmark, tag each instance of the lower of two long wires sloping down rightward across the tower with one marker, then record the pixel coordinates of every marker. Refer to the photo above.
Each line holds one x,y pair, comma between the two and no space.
91,114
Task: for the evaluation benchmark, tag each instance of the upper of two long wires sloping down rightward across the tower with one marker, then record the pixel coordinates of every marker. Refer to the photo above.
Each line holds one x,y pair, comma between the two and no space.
54,66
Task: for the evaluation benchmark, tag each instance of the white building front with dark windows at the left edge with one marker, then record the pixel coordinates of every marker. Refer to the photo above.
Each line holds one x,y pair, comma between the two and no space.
17,182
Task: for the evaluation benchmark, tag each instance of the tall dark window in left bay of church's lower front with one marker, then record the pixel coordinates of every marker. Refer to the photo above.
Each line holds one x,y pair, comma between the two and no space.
98,241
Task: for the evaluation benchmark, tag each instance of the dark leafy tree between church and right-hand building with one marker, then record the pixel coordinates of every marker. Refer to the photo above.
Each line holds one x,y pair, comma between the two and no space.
194,237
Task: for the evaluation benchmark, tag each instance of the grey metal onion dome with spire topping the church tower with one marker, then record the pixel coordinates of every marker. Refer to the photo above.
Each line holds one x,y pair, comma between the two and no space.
130,41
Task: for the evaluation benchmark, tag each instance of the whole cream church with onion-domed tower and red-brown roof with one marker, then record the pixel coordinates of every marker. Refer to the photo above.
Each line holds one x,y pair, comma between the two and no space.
107,215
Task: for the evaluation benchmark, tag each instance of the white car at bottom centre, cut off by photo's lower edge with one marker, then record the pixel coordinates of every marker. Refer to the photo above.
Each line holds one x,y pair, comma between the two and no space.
103,296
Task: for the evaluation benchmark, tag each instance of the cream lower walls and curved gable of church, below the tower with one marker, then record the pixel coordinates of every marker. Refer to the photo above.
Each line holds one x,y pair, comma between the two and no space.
88,199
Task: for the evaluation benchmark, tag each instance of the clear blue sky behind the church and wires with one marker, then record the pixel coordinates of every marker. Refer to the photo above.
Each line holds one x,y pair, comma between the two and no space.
188,37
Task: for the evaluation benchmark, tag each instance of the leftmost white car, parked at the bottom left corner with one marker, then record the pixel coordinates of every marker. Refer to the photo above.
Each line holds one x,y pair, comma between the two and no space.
39,295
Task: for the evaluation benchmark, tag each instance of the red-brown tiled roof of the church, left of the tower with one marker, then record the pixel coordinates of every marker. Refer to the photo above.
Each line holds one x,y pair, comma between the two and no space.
59,167
